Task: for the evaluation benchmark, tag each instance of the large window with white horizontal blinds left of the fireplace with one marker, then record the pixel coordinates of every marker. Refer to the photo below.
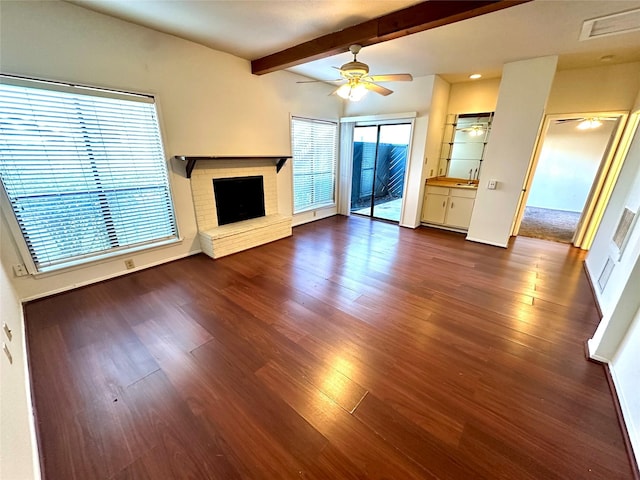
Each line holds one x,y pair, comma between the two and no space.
84,171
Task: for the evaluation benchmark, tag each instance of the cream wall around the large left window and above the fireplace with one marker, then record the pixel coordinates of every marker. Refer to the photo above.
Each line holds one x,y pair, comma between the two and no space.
209,104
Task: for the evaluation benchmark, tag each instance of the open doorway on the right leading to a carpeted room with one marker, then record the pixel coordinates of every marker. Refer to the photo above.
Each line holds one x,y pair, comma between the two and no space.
566,176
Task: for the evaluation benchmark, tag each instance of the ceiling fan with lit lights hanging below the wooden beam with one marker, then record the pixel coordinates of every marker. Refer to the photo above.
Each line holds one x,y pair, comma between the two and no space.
357,80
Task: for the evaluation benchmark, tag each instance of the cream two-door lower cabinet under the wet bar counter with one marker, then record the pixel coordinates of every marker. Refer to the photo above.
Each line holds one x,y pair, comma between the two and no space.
450,207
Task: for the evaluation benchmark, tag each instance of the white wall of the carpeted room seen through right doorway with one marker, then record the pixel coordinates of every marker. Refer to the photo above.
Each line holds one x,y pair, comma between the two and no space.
567,165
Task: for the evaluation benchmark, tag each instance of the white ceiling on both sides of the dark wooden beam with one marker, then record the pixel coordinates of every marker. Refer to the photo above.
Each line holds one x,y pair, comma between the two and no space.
254,28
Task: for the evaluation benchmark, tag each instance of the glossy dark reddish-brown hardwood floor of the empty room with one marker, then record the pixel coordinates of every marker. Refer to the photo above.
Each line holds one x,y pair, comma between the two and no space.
355,349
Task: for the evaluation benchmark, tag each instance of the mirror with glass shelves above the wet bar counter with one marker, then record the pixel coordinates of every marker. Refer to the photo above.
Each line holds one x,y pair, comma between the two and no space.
463,145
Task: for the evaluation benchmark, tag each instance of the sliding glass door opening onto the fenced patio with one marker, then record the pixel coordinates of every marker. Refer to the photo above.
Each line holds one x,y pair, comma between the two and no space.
379,165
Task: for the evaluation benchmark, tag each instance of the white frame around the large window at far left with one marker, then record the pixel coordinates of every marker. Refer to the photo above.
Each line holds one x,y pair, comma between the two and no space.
100,256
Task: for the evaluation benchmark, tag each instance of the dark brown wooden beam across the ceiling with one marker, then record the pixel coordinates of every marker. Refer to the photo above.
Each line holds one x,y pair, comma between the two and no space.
417,18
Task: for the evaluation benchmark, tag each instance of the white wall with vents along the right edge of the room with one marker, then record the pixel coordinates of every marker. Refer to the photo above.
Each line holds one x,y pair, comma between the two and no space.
617,338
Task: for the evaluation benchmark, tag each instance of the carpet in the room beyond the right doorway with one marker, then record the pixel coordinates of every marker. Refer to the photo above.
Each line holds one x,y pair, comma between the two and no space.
556,225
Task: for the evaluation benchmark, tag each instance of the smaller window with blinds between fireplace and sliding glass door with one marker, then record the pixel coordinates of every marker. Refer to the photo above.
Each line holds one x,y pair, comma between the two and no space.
314,145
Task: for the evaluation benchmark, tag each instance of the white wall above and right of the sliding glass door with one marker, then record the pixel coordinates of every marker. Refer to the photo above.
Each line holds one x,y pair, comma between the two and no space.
415,96
